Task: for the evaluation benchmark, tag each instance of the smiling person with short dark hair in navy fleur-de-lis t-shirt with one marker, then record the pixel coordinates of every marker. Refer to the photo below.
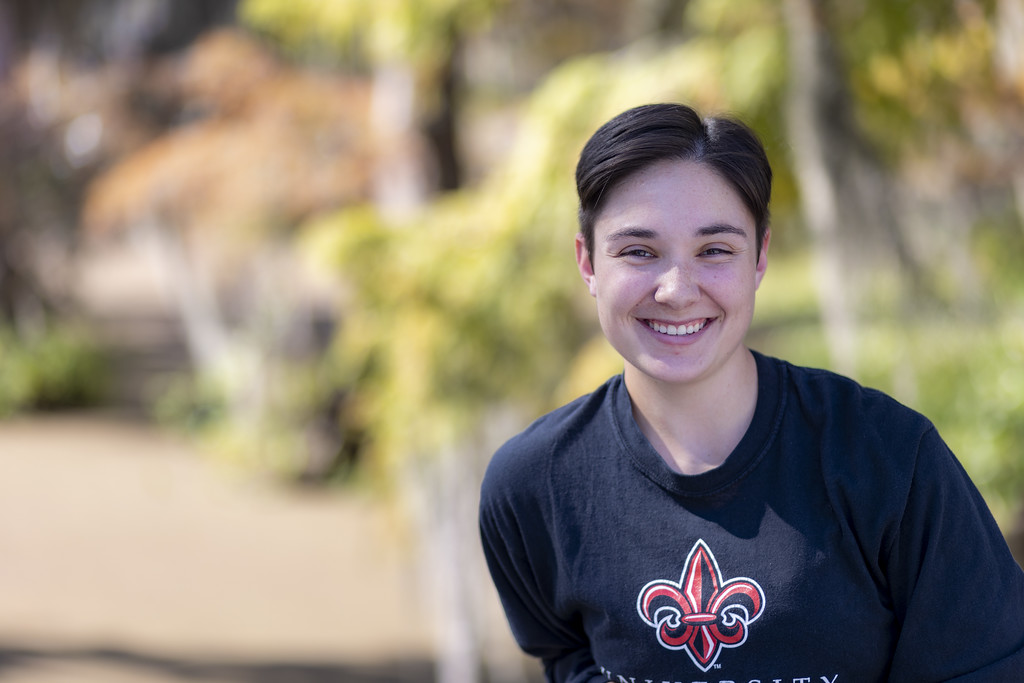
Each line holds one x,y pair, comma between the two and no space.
713,507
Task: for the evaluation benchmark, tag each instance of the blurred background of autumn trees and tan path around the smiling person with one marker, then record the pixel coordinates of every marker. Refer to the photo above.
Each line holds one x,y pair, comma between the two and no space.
277,277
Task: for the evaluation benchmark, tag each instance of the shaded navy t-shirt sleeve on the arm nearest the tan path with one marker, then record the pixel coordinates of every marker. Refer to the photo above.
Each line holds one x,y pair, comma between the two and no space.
524,575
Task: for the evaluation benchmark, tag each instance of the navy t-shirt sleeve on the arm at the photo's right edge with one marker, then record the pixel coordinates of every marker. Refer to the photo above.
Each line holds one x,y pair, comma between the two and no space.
955,585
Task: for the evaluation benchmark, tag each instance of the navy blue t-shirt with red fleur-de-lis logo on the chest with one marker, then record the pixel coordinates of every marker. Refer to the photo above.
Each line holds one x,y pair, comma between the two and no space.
841,542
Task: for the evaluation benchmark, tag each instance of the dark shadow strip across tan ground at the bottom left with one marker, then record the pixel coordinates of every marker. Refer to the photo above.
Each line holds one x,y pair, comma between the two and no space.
163,668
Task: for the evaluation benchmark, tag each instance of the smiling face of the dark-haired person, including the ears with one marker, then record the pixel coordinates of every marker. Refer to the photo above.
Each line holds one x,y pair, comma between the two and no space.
674,272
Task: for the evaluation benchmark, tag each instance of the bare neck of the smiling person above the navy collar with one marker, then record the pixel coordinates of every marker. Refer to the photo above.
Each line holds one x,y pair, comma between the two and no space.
695,428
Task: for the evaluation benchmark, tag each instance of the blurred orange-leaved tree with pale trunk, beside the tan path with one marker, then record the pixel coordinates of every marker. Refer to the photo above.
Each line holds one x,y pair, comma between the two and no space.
216,201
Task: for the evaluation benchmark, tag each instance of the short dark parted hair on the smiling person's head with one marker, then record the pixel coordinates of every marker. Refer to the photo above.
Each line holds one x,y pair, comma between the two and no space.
641,137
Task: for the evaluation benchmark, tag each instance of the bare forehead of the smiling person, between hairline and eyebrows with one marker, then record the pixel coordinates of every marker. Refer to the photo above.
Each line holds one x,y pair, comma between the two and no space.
673,195
